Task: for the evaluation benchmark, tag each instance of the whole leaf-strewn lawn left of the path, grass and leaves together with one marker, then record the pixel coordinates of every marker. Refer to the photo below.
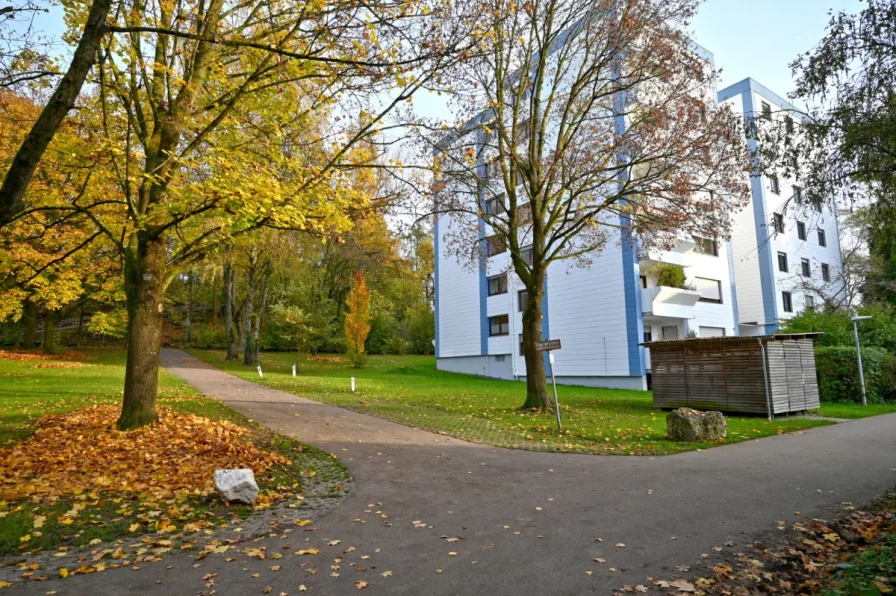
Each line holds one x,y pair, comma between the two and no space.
55,494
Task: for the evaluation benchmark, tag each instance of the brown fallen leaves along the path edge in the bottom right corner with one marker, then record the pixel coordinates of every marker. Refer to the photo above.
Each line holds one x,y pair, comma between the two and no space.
805,559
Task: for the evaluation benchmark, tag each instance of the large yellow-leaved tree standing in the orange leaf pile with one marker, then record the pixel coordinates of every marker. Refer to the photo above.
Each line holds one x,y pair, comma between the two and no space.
225,117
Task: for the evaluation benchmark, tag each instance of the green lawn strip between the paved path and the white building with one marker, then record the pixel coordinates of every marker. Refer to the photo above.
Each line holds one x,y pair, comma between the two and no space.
409,390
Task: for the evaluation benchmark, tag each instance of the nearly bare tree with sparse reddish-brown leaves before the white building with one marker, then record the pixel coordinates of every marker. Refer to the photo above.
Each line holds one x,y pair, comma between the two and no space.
585,125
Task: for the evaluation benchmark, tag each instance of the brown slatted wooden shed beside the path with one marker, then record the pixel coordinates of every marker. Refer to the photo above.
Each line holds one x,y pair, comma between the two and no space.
768,374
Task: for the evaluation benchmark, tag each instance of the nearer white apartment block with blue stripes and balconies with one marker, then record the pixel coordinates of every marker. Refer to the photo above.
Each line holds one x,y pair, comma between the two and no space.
601,313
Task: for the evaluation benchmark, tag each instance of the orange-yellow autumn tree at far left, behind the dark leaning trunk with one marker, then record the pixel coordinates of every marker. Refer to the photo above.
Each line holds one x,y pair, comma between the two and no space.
51,265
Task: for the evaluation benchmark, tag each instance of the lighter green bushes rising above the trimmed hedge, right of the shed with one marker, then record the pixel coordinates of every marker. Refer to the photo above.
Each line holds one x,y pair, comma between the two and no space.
878,332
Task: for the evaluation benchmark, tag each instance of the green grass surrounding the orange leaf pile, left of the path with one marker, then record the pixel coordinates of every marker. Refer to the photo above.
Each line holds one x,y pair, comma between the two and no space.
28,392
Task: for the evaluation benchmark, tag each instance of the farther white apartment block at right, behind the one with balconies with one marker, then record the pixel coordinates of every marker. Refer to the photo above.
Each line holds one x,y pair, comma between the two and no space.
785,251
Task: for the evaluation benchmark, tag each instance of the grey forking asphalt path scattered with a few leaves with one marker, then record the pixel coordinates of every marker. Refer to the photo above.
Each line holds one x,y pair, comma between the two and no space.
528,521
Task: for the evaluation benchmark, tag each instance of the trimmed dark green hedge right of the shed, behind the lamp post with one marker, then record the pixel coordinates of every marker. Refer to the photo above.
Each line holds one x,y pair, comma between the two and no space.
838,374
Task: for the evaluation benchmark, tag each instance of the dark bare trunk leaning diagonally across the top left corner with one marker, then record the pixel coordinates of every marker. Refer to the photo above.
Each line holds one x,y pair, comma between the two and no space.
61,102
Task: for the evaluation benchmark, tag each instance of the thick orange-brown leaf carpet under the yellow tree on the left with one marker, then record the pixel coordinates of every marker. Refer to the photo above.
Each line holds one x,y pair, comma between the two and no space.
82,452
